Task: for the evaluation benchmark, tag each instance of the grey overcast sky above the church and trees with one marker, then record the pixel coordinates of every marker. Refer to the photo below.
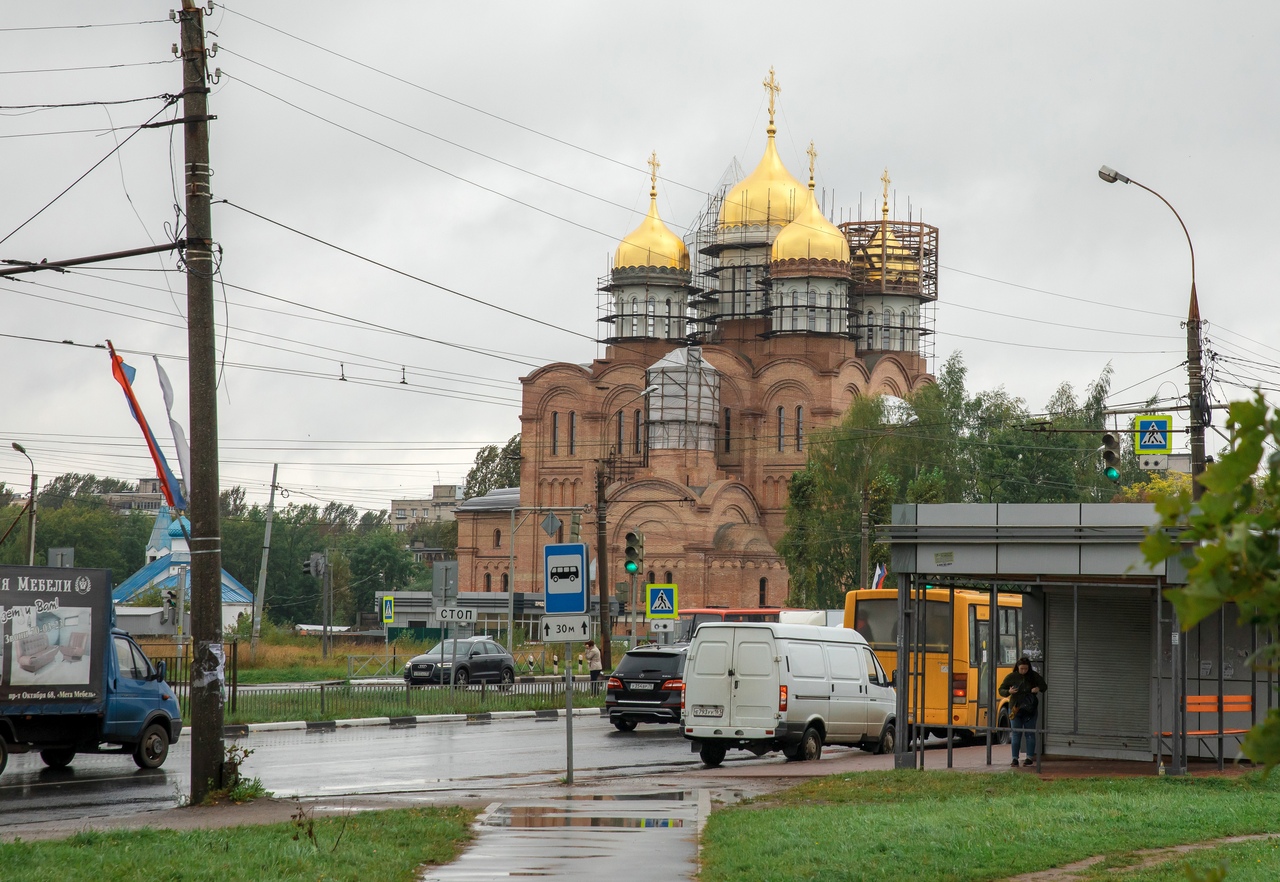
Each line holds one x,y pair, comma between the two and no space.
497,153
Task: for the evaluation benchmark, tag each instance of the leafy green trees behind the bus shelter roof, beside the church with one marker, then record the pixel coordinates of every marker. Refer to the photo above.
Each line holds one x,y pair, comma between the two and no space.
940,446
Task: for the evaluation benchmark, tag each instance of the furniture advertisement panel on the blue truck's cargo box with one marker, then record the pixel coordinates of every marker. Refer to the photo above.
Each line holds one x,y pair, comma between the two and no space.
56,623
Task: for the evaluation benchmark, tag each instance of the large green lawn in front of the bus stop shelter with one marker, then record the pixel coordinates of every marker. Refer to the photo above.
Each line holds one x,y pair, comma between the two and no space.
947,826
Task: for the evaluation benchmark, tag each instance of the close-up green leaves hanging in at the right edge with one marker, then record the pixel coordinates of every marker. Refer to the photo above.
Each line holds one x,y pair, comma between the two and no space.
1231,546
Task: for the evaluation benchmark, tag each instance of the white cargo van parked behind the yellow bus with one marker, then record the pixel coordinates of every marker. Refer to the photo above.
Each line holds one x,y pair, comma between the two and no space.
766,687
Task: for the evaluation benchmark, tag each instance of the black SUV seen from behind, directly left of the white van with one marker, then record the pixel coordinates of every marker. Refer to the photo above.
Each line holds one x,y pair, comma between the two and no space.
647,687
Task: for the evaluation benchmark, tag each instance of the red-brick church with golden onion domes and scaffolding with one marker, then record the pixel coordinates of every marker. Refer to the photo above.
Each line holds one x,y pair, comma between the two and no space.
723,355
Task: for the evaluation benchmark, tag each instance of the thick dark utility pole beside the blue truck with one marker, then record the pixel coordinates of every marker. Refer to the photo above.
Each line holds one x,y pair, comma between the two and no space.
208,751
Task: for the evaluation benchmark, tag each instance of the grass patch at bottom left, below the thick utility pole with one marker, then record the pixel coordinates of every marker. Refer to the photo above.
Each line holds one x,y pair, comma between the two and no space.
372,846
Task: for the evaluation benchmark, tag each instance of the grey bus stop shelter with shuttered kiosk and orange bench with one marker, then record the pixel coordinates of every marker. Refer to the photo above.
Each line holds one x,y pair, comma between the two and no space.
1124,682
